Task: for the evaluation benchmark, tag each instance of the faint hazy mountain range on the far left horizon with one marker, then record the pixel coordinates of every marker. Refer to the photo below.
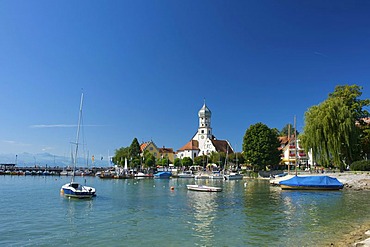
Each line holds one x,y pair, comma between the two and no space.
43,159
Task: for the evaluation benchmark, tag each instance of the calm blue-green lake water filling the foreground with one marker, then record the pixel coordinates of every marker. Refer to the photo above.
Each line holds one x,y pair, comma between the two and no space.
146,212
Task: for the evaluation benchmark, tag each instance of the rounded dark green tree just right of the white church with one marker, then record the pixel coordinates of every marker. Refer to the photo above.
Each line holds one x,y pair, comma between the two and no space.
260,146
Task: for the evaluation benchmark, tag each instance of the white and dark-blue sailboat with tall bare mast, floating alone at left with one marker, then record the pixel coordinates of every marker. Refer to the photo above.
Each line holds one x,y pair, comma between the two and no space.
74,189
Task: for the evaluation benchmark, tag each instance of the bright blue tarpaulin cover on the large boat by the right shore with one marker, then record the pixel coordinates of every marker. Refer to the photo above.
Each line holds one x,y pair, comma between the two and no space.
313,181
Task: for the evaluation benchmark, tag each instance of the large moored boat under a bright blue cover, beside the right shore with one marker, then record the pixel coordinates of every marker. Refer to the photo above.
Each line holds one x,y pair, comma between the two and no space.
311,183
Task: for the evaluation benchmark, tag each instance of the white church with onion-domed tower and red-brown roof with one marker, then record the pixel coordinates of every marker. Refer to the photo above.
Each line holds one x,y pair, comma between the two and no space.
204,142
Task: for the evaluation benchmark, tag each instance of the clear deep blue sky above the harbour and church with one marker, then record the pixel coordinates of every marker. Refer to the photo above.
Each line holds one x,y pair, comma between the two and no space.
146,66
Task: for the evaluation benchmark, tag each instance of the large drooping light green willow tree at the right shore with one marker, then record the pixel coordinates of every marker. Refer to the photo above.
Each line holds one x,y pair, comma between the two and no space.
330,128
